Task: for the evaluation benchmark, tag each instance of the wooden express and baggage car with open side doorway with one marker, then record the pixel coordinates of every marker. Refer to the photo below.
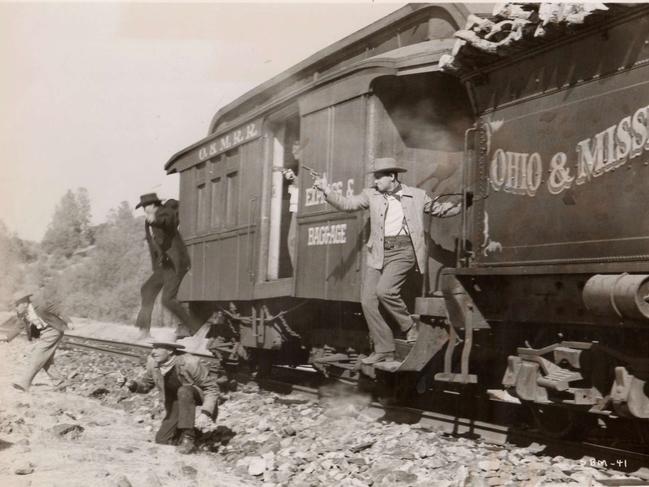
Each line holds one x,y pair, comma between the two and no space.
377,93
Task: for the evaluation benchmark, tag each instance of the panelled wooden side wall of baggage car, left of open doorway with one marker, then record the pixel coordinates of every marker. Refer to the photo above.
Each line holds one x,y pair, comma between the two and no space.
219,223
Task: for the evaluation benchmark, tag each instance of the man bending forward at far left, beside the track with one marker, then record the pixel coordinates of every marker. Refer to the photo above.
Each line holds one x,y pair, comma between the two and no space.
42,322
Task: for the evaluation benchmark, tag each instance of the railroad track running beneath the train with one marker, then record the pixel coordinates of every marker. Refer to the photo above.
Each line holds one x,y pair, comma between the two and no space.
291,379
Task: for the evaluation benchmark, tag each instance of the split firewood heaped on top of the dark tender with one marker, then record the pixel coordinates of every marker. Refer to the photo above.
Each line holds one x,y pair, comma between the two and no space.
517,28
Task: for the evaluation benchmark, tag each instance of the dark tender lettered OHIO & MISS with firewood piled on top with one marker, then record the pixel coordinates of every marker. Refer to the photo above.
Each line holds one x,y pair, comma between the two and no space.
556,256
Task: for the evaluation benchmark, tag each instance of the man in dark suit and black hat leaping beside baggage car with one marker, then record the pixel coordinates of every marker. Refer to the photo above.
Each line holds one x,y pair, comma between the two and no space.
170,262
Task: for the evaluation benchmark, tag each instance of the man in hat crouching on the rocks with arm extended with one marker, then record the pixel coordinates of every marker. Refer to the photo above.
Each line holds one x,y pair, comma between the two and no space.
183,381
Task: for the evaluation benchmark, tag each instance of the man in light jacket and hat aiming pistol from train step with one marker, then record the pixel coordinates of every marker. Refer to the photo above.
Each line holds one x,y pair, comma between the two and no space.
397,244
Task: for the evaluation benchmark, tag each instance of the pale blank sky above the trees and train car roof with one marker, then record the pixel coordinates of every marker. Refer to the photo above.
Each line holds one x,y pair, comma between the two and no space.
101,95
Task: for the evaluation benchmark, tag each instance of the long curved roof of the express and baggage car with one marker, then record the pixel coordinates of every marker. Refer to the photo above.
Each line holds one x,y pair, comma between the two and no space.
308,73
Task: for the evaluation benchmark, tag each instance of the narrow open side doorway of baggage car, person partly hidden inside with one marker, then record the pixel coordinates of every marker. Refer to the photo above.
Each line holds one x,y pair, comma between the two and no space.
284,154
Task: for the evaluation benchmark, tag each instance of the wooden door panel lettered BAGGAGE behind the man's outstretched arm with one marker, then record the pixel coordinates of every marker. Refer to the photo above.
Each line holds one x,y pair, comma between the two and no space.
330,243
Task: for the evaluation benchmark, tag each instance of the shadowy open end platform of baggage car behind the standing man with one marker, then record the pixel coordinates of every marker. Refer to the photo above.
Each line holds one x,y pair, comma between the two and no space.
421,120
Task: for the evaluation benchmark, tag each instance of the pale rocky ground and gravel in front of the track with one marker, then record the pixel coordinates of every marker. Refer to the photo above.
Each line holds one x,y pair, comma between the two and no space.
90,432
